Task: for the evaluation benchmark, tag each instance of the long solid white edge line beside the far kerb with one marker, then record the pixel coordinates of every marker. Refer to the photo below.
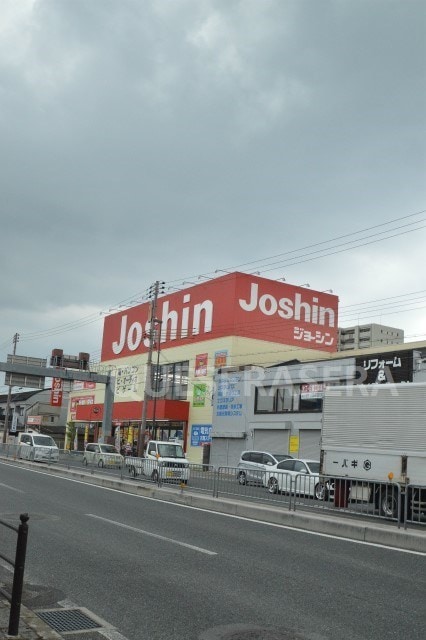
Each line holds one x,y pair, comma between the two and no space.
228,515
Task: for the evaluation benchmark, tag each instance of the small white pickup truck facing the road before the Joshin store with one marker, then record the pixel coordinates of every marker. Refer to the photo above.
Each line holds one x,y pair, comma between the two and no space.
165,461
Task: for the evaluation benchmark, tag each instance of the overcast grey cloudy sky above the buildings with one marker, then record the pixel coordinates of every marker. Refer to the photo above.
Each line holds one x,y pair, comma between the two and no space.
165,139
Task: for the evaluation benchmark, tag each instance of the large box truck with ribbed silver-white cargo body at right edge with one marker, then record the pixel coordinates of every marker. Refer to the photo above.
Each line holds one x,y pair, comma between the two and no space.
376,434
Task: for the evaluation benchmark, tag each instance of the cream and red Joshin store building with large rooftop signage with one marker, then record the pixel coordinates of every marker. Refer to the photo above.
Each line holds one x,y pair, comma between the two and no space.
235,320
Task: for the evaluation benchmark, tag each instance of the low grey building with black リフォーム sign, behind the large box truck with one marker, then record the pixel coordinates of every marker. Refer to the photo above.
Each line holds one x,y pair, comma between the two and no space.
279,408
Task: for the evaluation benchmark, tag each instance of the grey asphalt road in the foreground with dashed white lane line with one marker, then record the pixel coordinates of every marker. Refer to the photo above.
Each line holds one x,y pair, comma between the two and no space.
160,571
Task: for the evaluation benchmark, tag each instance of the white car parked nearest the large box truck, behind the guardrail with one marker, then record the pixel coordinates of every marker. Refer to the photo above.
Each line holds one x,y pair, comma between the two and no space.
301,477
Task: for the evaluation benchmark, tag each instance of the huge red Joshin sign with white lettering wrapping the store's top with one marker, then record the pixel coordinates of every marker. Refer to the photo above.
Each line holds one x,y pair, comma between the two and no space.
237,304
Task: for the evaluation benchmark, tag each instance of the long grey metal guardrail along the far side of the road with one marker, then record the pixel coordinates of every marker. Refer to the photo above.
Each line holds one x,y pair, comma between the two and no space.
388,501
